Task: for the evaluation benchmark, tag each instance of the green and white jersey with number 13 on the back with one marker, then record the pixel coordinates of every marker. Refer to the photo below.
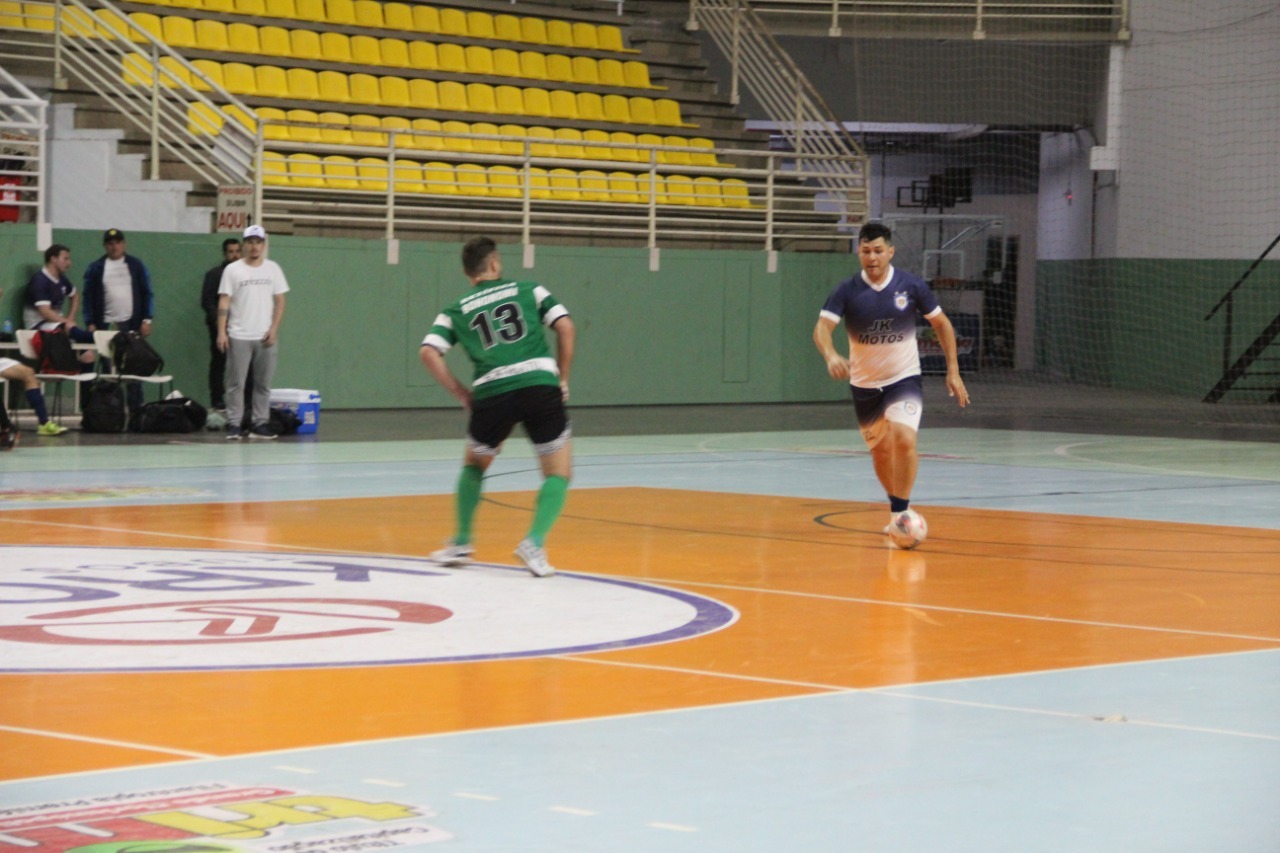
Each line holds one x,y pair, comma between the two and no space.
501,326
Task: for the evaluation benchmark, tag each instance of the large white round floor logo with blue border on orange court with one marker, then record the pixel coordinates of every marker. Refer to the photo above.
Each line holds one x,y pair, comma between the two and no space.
130,609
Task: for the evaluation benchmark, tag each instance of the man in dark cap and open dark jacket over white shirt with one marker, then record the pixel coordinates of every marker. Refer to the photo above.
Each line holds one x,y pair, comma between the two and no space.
118,295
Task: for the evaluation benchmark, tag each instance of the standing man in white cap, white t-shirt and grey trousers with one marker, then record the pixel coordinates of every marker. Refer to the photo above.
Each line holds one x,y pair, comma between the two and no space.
250,309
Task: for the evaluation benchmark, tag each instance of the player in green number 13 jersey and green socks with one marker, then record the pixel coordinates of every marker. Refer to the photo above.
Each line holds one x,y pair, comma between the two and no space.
518,381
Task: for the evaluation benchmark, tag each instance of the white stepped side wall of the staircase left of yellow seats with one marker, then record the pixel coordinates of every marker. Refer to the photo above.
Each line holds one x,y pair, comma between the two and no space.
95,186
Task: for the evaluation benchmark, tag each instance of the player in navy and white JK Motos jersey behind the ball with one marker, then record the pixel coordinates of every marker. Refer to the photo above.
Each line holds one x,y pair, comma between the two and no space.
880,308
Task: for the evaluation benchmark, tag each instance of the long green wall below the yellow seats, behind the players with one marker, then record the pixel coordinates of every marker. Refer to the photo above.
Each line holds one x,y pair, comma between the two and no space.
710,327
